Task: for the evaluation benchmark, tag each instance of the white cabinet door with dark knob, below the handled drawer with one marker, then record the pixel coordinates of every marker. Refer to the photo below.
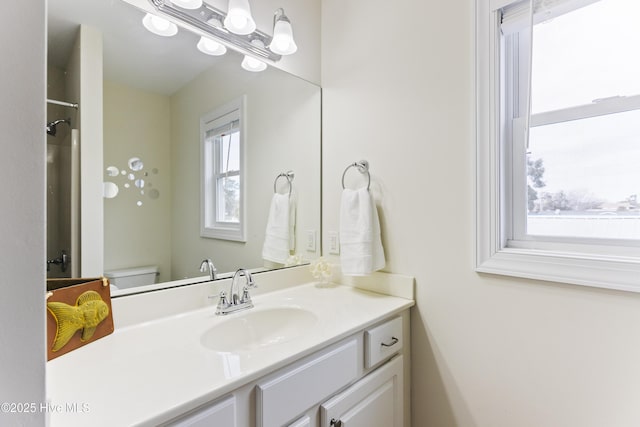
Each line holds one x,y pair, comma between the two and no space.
374,401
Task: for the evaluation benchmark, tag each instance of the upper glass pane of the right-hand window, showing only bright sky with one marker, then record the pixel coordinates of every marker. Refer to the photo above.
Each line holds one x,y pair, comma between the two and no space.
588,54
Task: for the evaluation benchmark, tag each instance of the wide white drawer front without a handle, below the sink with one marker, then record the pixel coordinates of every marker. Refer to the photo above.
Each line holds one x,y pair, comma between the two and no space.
281,399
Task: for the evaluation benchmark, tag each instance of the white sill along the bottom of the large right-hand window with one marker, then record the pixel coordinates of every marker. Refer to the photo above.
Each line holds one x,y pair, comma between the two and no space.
619,273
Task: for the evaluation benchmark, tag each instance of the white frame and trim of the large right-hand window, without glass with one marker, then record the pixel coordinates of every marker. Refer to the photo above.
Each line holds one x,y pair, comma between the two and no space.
603,265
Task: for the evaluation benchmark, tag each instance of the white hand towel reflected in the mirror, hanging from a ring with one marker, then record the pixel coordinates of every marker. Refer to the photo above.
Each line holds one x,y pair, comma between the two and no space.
277,239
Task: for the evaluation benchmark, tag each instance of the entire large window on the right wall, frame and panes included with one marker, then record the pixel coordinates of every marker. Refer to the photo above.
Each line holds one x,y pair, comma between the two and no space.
558,141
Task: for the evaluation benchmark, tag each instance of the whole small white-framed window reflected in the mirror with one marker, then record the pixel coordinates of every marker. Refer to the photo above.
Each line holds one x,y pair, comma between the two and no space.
222,203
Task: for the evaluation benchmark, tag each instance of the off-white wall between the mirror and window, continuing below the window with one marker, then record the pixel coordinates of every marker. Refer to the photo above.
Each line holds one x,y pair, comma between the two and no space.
487,351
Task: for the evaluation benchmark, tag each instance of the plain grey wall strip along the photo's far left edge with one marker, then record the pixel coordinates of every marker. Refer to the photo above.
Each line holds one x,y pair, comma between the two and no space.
22,250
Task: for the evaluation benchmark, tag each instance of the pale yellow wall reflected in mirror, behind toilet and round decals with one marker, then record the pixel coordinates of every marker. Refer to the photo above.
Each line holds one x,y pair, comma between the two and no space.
137,123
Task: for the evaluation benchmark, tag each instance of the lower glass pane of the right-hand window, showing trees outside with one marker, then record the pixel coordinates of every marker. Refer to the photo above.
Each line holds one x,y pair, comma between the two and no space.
584,178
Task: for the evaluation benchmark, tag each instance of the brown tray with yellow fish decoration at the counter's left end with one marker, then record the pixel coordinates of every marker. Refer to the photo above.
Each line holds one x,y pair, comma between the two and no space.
78,312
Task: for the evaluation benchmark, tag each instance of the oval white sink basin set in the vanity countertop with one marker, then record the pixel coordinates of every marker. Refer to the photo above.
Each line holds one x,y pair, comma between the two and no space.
252,330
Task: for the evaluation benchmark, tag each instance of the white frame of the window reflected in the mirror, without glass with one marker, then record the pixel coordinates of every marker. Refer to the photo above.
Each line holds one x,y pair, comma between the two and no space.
227,114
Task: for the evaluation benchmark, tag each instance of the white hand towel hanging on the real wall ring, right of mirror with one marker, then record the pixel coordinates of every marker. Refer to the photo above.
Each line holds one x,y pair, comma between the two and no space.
361,251
